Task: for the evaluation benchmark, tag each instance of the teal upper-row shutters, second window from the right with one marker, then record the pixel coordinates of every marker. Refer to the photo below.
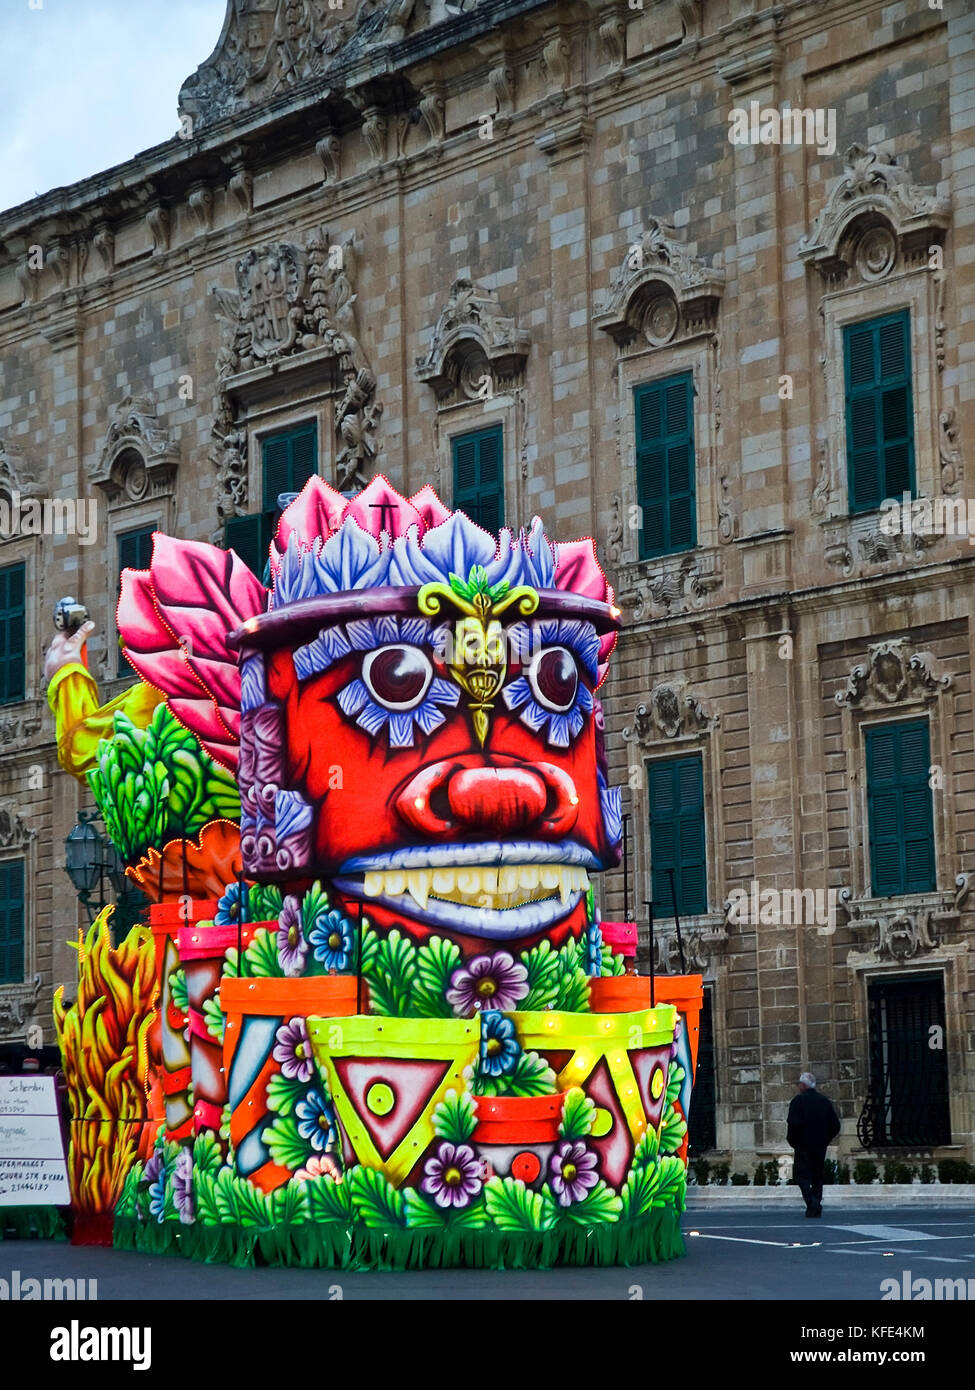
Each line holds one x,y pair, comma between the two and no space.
667,466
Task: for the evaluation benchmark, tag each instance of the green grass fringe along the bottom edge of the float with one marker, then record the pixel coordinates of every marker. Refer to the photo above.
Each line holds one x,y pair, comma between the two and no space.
336,1246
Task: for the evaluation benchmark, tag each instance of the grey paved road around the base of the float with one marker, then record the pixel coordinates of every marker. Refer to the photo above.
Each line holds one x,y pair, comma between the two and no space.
730,1256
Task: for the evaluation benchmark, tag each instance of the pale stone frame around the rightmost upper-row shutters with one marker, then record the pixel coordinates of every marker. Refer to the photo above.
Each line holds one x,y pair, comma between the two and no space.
913,291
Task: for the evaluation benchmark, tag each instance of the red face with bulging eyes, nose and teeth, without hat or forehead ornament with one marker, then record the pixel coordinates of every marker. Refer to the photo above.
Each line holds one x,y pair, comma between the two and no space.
493,842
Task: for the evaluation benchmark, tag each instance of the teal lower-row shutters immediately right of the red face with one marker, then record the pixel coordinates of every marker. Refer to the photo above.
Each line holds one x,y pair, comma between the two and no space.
677,836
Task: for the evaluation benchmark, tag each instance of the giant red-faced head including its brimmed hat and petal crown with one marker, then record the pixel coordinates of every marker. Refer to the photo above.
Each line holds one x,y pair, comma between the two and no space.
419,719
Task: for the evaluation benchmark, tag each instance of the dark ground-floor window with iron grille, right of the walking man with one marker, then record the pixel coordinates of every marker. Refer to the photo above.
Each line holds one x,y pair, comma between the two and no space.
908,1106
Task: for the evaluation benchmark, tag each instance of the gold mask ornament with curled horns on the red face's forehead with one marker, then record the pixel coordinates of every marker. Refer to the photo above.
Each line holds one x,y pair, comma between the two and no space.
479,662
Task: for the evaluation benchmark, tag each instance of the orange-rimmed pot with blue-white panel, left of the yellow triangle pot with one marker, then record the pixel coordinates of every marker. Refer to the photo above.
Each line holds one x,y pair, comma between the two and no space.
255,1010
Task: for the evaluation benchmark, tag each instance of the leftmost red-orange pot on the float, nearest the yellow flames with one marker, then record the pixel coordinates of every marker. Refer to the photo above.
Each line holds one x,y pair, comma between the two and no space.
165,922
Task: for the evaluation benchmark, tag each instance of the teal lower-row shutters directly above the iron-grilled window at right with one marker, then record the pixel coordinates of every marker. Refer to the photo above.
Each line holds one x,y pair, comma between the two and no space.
902,822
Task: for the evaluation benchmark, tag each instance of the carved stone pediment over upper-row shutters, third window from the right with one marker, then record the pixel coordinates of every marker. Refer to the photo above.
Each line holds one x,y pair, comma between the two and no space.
474,340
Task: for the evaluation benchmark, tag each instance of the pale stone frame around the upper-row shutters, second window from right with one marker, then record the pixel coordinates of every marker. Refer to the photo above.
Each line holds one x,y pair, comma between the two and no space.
695,355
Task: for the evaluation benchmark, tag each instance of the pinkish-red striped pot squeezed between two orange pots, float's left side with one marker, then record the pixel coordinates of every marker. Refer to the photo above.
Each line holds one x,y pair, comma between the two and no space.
202,949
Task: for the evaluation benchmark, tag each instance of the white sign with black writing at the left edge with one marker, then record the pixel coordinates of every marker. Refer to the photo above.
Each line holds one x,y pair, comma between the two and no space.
33,1168
